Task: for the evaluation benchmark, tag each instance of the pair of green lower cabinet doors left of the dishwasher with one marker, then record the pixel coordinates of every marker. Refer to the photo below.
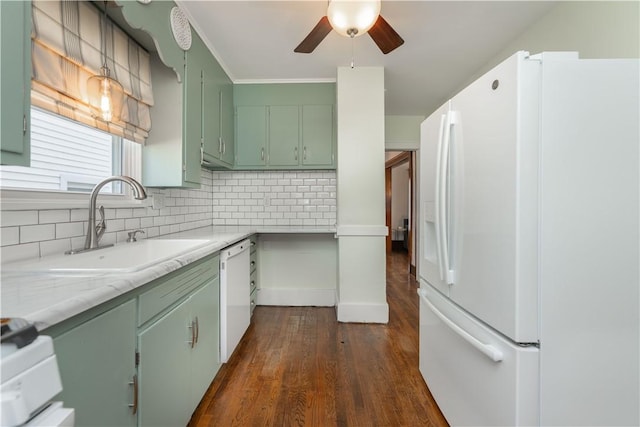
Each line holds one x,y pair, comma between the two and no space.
179,357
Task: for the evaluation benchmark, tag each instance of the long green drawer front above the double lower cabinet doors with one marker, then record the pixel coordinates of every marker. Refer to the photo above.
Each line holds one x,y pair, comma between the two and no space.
171,289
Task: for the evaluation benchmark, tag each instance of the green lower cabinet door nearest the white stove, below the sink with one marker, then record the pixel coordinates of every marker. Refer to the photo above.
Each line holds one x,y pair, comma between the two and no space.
97,364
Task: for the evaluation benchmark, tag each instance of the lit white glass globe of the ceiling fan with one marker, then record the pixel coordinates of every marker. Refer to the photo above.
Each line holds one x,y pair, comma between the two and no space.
352,18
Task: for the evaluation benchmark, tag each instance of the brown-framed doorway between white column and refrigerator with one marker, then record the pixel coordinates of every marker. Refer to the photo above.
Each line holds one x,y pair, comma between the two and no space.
399,197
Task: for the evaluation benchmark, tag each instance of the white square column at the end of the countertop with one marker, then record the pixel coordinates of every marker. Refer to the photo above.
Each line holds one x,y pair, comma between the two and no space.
361,230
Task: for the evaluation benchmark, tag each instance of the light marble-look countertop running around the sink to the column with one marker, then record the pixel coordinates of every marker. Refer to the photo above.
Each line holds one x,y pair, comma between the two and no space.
46,299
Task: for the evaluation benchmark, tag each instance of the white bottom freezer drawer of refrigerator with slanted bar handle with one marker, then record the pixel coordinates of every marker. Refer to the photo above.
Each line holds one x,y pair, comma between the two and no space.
476,376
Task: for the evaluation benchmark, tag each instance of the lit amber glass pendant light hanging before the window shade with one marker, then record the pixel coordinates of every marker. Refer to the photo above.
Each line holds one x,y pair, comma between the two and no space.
106,95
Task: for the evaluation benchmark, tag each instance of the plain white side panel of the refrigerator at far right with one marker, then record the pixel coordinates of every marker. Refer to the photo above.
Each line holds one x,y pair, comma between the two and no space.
590,297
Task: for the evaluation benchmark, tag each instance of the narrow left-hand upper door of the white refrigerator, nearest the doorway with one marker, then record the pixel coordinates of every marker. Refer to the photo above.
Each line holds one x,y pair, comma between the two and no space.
432,133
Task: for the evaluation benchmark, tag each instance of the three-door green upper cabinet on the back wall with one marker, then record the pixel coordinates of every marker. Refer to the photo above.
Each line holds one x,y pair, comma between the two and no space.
285,126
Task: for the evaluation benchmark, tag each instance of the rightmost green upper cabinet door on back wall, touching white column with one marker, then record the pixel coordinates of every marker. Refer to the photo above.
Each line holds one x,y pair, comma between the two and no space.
317,135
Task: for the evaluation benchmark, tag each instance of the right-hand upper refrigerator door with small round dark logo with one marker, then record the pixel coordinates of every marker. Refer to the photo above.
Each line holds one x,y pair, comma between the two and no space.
492,193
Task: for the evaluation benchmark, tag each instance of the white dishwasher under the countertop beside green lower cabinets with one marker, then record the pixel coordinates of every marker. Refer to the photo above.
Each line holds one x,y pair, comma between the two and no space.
235,296
